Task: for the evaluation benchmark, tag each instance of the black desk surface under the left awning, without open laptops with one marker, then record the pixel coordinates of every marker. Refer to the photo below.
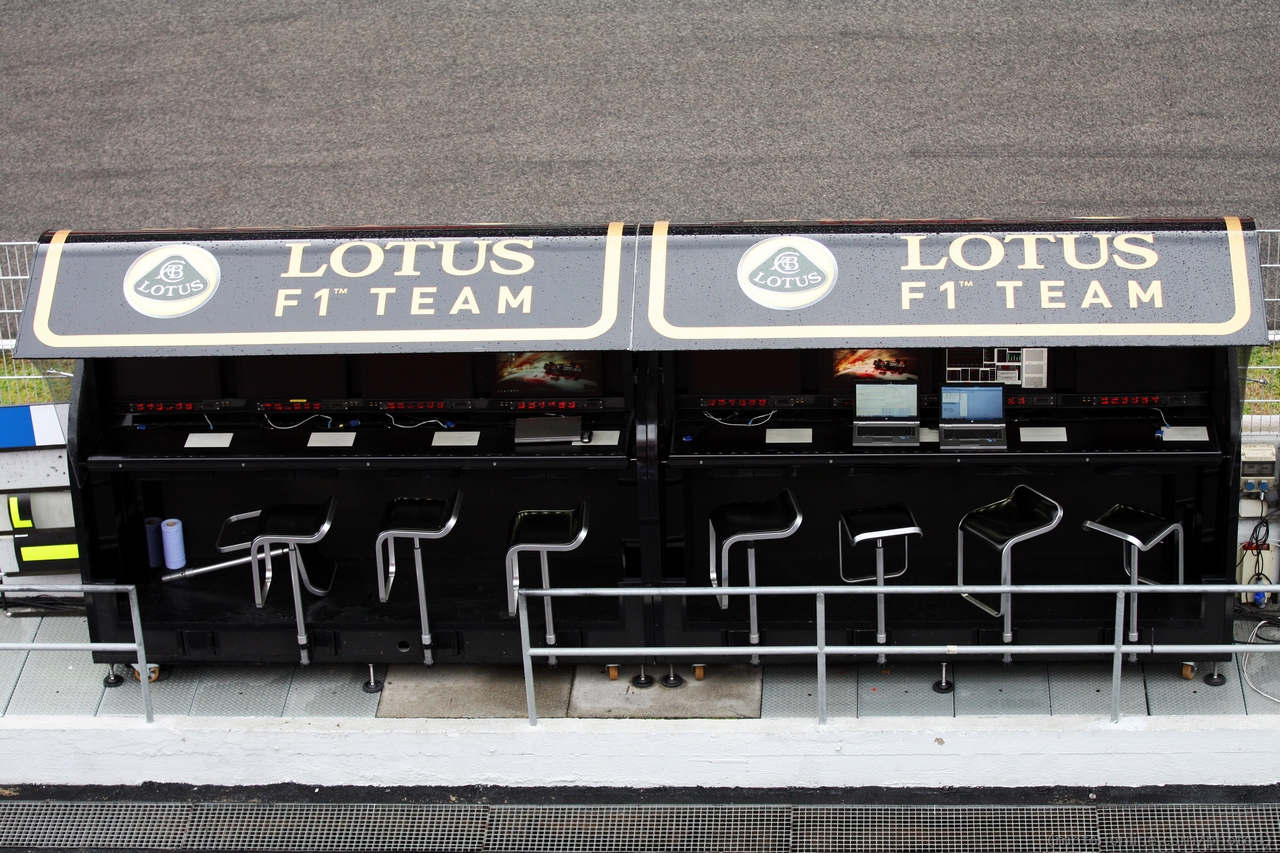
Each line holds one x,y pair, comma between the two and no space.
377,445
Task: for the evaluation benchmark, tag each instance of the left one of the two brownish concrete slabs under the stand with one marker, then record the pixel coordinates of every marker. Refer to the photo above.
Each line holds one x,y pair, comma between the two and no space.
473,692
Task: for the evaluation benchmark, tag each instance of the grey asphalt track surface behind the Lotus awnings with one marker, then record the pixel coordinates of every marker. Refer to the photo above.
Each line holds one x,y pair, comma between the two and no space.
135,115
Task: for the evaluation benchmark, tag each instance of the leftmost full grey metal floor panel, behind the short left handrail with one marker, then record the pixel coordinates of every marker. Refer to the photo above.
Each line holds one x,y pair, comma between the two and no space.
60,683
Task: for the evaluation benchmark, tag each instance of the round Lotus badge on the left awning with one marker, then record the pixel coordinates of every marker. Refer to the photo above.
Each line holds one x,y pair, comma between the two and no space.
172,281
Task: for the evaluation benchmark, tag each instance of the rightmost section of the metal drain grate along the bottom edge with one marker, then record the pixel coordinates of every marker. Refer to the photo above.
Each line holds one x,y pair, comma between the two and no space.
1190,829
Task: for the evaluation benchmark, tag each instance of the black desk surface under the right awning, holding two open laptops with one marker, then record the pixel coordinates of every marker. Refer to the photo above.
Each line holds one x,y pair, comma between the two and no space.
700,441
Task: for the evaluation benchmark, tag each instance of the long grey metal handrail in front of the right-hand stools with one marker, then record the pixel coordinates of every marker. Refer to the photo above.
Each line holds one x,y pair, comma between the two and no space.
821,650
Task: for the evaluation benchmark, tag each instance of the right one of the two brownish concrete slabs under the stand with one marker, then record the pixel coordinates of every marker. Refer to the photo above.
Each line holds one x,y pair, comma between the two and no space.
725,694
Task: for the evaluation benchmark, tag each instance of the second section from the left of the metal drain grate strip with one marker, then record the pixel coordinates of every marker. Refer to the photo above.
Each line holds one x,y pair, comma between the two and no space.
289,827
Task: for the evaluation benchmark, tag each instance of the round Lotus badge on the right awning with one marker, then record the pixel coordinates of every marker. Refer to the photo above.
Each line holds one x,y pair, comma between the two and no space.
788,273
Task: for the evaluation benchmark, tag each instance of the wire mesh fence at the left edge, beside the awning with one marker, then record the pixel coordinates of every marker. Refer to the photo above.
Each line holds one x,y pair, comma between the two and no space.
25,381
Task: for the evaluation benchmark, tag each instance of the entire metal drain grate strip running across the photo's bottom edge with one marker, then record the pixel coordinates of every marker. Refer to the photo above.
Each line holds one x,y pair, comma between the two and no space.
643,829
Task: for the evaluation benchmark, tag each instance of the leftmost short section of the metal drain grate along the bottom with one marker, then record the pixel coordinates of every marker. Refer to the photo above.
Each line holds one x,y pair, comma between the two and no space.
159,827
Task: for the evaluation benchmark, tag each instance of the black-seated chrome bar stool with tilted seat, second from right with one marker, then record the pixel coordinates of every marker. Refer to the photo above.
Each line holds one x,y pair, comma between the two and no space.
1023,516
